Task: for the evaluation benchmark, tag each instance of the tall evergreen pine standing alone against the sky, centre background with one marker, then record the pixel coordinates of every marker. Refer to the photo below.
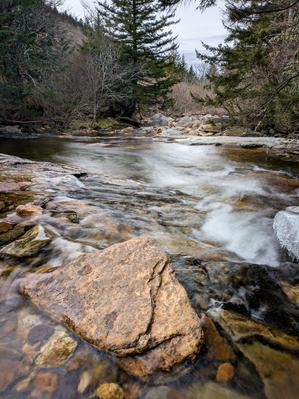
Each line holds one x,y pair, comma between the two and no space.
146,43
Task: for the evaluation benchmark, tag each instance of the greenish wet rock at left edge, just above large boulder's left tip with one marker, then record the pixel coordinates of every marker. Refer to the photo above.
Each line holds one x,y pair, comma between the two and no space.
27,245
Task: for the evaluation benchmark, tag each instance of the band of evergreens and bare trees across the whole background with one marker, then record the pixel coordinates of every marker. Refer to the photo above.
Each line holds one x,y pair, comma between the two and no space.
123,60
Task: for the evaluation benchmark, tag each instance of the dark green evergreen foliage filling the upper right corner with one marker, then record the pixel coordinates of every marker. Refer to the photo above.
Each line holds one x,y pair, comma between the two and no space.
256,71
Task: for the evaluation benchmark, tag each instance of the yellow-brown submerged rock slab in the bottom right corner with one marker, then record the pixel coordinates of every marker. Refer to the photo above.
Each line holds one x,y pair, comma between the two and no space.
278,369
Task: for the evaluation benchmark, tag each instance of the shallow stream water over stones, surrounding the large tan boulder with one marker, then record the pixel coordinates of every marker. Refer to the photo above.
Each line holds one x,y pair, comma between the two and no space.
211,208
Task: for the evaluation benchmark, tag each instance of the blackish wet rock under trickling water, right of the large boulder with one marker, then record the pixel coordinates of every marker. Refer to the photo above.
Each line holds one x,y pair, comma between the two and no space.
252,290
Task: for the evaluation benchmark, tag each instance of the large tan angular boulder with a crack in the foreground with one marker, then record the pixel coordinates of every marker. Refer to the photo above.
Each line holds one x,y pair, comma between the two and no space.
125,300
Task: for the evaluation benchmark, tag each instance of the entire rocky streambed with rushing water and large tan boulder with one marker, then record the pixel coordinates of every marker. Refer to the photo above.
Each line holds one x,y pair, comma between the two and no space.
205,307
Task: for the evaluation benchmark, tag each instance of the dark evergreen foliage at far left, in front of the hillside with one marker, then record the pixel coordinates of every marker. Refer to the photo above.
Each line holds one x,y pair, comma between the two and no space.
30,50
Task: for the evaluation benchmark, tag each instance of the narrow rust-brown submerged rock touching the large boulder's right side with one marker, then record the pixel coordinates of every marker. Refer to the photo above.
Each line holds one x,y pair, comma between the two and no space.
218,347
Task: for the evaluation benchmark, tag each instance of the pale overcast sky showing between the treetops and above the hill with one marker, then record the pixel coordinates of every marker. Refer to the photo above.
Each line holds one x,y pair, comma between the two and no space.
194,26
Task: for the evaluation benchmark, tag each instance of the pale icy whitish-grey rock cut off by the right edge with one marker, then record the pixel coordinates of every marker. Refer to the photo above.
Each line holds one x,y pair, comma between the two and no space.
286,227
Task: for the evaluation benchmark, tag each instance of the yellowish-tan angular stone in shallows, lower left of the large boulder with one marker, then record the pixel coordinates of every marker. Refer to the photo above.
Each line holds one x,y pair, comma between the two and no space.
57,350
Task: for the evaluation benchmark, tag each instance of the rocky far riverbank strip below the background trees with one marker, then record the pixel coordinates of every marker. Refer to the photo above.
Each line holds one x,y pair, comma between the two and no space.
157,125
